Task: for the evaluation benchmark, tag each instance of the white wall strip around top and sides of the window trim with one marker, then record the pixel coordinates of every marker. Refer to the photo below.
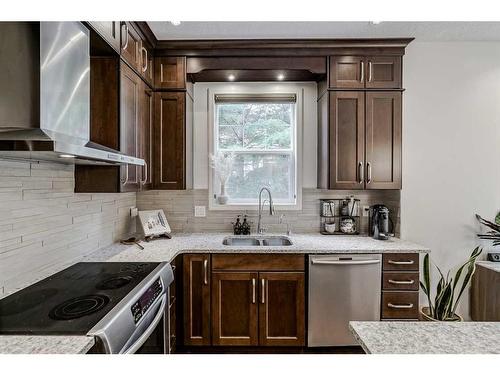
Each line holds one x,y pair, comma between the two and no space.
201,131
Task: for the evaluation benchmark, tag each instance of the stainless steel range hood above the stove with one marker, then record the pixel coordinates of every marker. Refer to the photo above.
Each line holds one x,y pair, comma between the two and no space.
45,96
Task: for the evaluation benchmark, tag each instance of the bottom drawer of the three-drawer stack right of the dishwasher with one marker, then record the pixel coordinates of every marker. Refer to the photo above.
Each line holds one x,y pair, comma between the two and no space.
399,305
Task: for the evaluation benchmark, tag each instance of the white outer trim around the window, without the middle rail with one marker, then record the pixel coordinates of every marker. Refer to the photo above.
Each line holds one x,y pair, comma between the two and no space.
299,118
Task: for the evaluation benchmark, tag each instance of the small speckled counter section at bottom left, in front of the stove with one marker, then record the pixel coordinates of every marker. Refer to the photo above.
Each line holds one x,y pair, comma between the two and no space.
45,344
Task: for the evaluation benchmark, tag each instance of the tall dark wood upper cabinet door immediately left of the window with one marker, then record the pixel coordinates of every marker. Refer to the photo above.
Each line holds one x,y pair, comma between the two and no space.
169,141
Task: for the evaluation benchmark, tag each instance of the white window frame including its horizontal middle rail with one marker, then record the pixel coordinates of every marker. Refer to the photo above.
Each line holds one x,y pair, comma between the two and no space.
263,90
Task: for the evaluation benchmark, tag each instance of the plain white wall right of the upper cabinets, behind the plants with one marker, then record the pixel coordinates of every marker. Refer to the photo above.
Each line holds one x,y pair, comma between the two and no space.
451,146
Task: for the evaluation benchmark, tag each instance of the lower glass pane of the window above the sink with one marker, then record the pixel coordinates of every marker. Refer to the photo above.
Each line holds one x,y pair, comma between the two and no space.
253,171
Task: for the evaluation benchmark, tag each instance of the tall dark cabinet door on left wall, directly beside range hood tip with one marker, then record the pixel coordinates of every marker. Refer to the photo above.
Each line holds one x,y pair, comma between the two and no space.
130,88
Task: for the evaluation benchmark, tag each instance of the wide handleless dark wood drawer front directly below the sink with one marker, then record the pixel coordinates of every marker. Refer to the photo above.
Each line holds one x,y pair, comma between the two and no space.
260,262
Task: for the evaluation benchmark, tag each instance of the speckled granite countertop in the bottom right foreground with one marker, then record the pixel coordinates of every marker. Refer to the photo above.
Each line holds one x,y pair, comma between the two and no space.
427,337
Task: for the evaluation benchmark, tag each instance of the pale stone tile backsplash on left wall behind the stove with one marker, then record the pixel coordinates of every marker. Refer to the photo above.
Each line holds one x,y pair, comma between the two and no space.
45,226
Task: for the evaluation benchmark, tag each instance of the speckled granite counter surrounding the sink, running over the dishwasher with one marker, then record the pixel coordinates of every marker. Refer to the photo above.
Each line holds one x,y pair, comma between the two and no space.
166,250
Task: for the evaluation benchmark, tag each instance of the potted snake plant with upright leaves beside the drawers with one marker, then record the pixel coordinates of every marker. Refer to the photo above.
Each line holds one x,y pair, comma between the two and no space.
444,305
